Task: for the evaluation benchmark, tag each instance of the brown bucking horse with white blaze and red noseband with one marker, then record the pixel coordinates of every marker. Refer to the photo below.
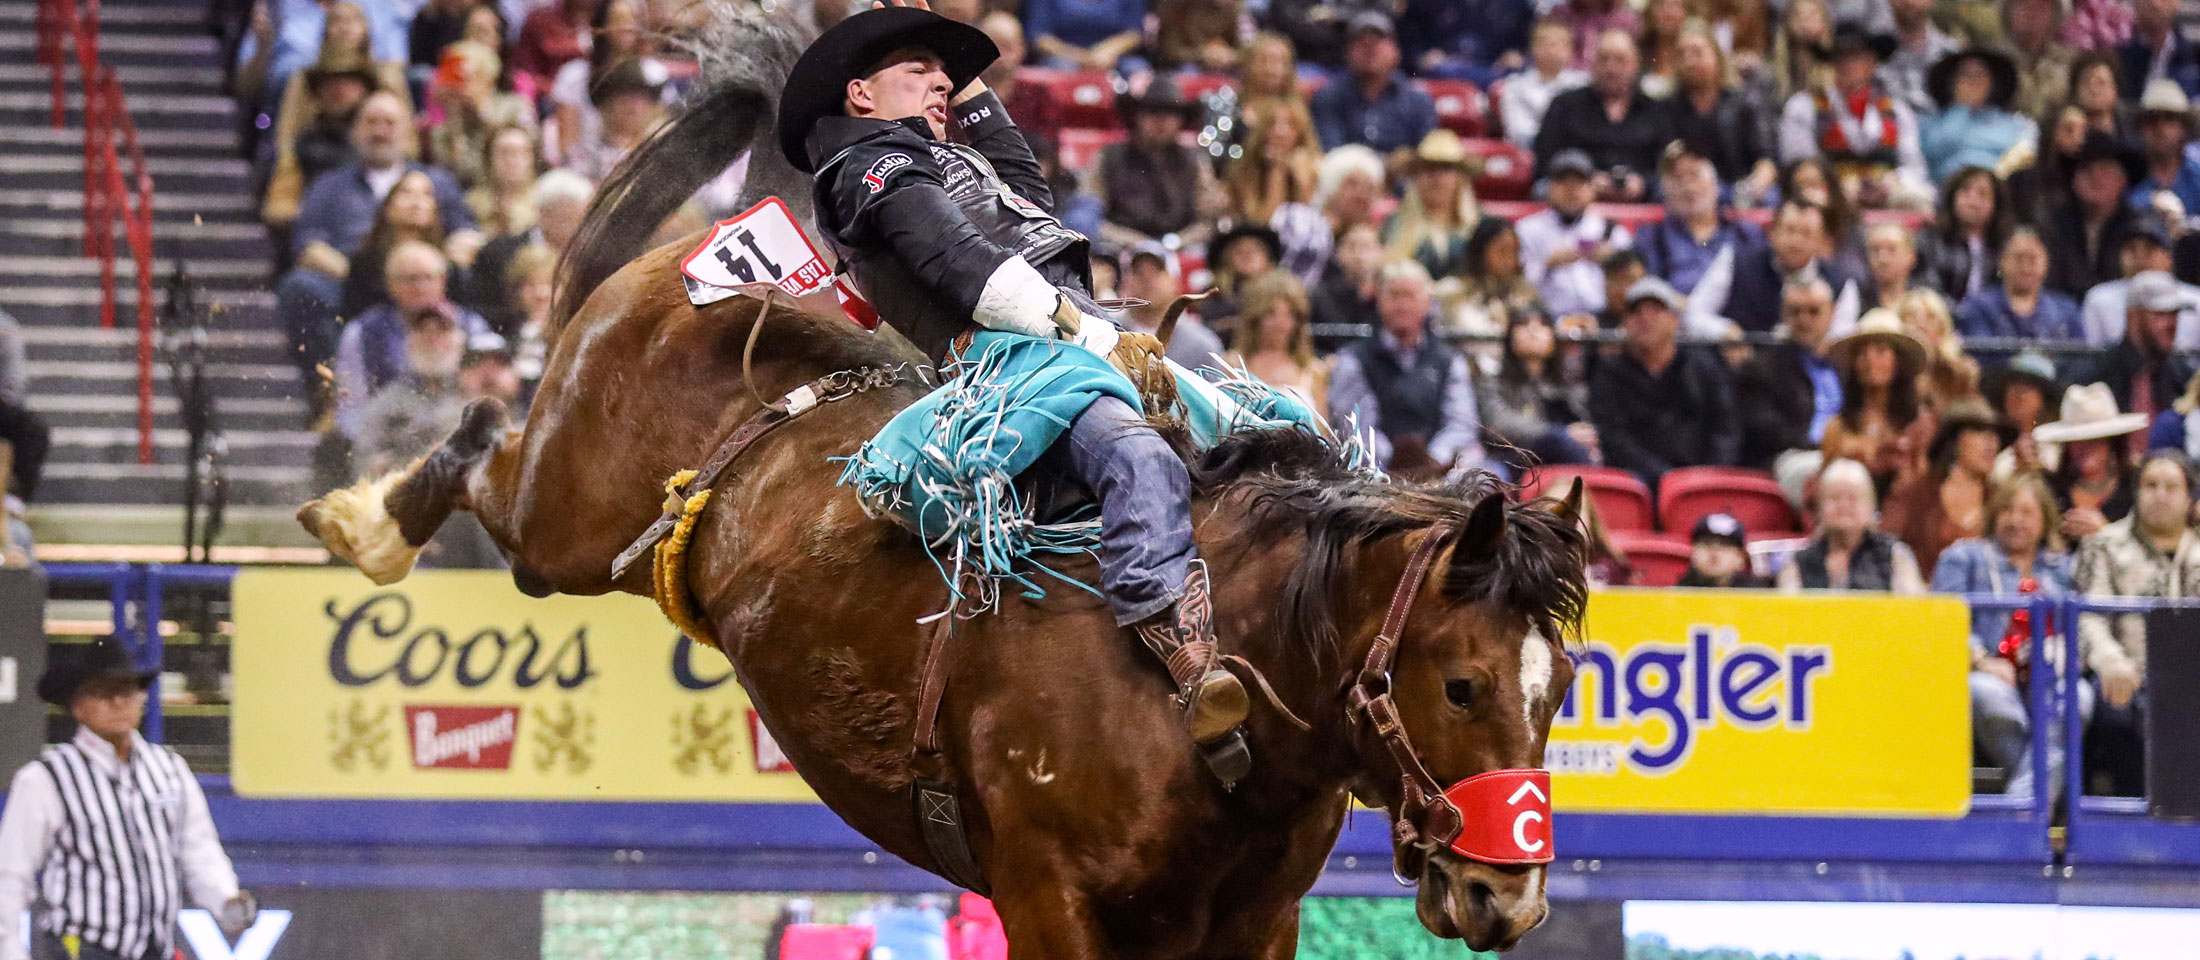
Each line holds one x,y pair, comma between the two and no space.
1413,640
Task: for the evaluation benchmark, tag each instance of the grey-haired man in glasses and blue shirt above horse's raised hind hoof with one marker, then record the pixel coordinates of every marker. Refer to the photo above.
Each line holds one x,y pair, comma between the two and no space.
373,349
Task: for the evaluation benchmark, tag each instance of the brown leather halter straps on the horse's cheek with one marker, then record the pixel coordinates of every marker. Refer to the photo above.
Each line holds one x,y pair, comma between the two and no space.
1427,820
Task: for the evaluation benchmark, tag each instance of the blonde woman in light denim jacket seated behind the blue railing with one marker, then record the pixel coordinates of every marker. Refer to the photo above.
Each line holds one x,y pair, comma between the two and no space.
2018,556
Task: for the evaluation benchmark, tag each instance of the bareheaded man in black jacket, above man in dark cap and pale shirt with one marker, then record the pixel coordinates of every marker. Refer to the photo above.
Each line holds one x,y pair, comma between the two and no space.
1611,122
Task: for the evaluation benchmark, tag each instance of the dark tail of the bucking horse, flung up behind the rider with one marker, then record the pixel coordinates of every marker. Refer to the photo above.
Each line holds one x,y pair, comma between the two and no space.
745,61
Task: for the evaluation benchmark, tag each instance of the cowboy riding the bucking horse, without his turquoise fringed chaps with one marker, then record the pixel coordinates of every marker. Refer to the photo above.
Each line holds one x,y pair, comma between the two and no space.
962,237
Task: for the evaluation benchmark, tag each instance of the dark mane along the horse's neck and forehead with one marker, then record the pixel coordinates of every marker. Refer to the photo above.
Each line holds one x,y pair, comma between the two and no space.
1295,483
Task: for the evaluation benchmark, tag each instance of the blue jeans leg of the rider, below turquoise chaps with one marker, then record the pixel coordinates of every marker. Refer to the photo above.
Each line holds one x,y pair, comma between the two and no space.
1145,505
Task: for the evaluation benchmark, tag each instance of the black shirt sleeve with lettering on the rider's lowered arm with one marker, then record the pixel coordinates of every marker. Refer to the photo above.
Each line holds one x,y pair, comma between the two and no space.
890,195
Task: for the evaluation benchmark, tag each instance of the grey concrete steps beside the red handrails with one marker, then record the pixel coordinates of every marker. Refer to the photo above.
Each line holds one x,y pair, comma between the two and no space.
85,378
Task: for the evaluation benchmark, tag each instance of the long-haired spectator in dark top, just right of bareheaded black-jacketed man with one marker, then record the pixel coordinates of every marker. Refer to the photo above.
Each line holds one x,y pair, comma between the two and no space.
1717,120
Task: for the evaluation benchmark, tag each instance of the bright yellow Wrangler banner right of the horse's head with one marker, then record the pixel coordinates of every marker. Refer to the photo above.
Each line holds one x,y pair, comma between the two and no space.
1721,701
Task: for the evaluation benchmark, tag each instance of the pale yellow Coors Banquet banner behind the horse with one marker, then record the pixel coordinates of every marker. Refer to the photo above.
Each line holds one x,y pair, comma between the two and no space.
459,686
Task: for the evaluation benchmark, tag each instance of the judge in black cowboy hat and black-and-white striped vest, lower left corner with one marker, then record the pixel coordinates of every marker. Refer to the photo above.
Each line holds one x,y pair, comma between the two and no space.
109,831
